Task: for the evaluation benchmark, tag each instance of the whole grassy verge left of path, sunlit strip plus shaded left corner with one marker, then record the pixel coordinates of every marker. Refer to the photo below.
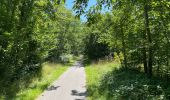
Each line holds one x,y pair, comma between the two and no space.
31,87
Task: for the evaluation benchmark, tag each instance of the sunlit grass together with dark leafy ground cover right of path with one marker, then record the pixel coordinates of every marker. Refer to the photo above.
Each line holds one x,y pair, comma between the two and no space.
105,81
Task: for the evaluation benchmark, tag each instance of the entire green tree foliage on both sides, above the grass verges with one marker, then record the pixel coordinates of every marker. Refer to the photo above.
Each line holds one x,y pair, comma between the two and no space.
32,31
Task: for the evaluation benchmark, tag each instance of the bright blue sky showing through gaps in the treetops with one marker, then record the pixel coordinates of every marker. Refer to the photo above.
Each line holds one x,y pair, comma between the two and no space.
70,3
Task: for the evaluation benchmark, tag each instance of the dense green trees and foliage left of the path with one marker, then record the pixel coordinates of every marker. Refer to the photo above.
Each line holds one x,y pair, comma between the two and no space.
30,31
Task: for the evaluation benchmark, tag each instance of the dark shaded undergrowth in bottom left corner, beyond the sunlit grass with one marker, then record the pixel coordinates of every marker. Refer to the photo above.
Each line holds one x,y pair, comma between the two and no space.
18,81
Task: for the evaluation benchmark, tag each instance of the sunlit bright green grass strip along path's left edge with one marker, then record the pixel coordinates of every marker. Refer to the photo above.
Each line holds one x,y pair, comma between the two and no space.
50,73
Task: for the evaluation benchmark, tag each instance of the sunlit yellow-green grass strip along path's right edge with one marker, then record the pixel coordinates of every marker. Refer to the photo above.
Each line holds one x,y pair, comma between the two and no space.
94,73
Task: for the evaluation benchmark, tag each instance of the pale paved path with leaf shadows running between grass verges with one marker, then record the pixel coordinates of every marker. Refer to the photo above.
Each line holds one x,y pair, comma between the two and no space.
70,86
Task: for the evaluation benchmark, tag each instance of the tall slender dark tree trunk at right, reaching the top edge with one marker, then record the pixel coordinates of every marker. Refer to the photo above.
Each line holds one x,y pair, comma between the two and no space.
150,52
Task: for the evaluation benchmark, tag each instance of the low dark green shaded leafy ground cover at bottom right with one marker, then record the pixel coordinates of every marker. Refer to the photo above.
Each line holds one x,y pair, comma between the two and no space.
123,84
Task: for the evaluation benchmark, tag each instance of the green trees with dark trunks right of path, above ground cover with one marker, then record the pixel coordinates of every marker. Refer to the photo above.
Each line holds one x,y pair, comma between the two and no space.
137,29
